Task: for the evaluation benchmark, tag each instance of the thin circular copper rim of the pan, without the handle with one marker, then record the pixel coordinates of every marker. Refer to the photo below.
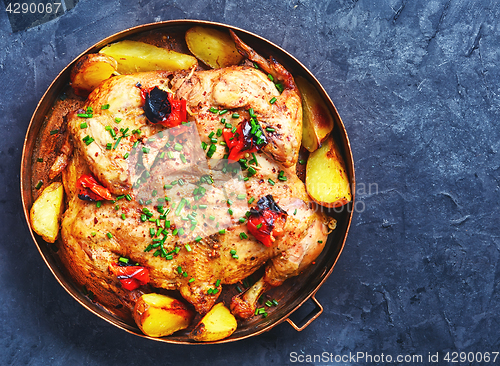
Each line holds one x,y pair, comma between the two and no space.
33,133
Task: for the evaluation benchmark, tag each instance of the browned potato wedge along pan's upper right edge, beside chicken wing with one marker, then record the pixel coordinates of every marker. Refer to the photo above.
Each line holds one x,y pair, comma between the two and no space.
317,122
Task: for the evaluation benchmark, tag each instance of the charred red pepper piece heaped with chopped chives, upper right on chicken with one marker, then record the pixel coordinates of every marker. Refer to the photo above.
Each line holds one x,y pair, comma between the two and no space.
247,138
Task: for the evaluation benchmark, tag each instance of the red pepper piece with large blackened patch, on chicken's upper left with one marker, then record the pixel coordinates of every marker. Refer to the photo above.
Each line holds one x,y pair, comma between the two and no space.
160,107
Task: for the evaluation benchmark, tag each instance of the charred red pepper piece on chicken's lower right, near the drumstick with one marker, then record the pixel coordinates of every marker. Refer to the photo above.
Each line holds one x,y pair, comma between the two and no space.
267,221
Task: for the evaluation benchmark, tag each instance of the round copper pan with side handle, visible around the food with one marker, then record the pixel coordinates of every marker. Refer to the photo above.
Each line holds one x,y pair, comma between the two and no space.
294,292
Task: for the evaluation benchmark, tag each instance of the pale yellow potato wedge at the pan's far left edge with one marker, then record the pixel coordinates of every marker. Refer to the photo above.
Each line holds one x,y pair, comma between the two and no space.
46,212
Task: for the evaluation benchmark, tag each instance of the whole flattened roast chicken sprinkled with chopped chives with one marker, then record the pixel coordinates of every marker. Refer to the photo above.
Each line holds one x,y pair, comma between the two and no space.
176,203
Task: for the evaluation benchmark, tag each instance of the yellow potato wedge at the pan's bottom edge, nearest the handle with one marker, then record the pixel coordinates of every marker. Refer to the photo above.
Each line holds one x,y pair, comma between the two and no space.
217,324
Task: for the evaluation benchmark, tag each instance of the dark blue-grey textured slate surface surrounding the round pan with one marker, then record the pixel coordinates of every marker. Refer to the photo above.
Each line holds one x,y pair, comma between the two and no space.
417,85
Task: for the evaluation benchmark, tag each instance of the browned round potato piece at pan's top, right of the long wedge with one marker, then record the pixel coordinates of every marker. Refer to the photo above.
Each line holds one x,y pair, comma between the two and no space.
215,48
